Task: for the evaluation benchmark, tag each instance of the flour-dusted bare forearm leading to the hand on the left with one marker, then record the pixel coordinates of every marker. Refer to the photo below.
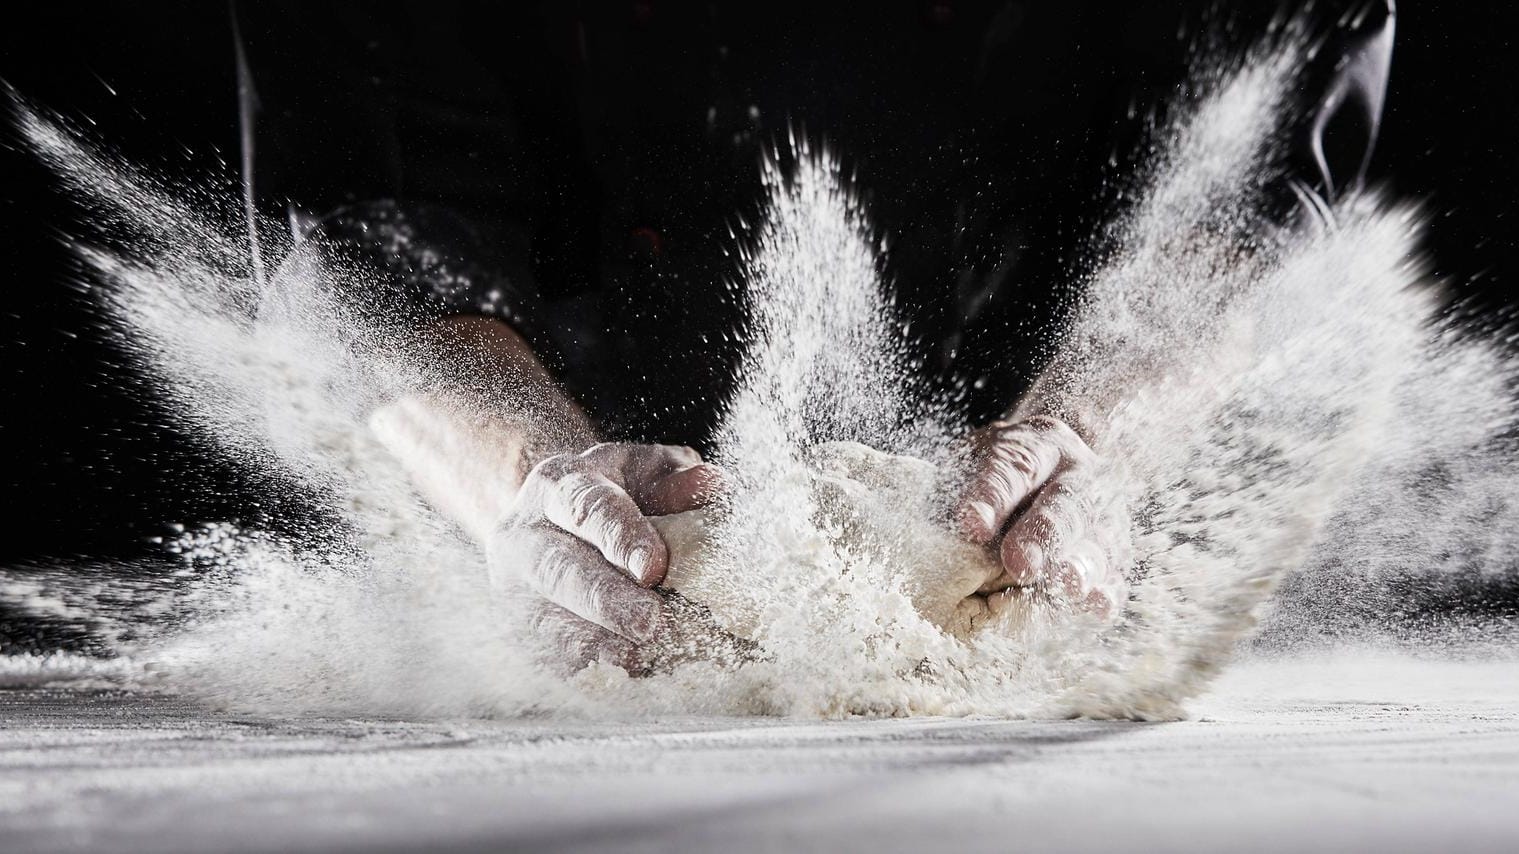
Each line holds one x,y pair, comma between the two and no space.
470,444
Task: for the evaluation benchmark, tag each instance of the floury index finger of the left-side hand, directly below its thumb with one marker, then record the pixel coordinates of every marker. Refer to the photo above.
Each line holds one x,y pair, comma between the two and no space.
601,513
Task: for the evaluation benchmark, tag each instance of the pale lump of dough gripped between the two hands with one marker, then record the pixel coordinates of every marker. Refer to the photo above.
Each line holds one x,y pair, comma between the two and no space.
867,504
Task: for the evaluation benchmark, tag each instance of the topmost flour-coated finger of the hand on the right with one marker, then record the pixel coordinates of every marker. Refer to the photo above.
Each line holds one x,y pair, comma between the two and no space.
1017,463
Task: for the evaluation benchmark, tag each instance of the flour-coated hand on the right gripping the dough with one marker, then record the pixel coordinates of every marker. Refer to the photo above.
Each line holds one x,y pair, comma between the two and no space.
1037,476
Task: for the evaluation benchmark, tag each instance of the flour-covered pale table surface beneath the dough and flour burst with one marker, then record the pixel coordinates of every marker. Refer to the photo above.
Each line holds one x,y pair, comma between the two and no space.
1354,753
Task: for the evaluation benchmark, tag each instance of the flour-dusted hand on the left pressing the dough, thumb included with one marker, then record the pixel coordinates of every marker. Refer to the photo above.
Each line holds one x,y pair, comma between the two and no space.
578,536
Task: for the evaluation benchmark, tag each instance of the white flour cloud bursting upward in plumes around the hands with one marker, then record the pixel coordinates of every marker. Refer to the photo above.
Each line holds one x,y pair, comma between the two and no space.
1269,403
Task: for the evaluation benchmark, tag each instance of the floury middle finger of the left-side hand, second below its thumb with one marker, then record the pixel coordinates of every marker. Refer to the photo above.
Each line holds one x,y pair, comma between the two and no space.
573,575
